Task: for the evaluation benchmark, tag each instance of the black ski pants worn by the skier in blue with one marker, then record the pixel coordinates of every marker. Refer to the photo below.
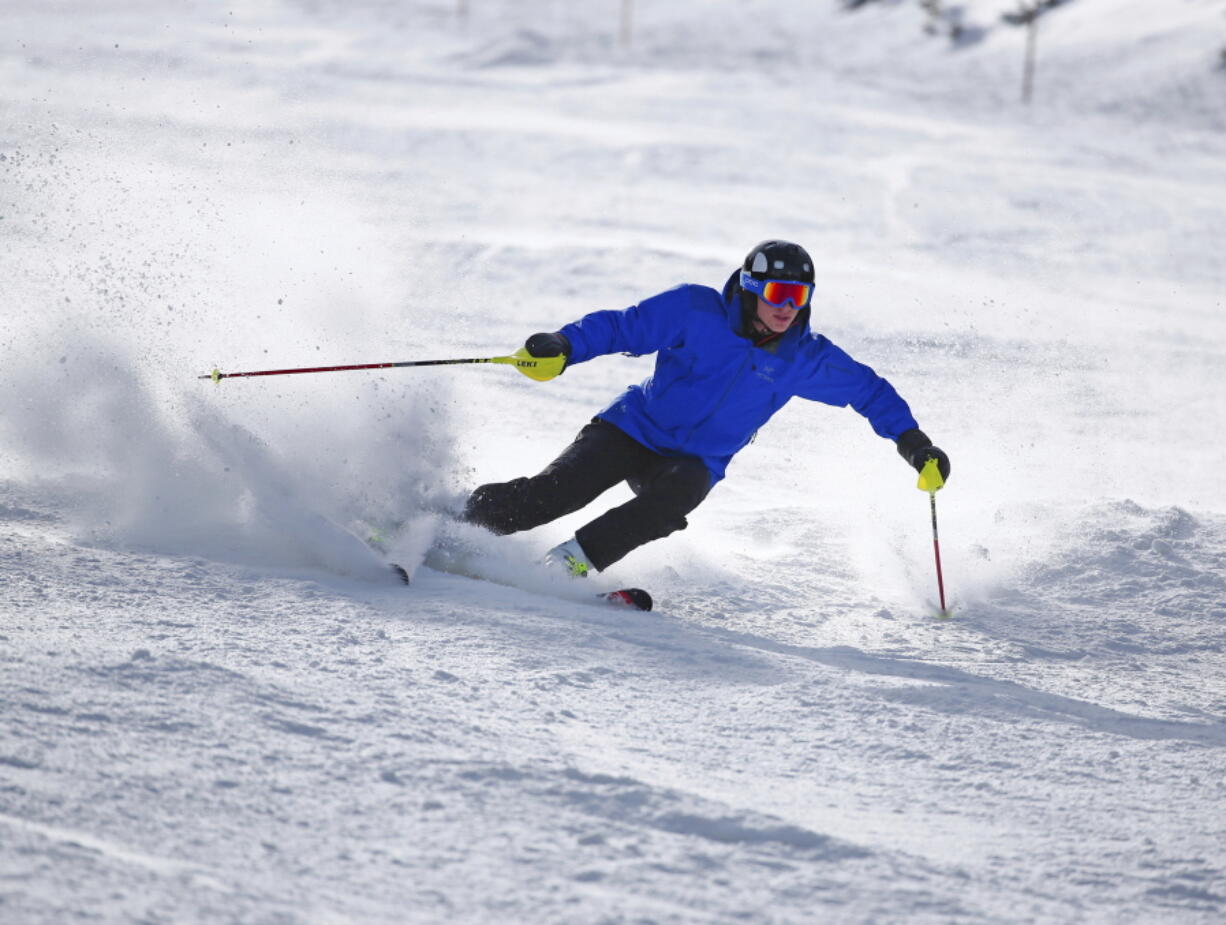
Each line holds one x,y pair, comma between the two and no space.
666,490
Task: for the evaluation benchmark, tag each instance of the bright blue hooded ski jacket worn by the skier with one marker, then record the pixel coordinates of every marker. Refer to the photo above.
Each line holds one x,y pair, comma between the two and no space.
712,388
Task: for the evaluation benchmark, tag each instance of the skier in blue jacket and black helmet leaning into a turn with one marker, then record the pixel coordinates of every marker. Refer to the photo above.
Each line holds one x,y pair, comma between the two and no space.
725,364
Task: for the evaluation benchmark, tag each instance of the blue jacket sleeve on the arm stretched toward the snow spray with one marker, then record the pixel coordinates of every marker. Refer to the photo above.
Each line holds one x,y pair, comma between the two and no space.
653,324
